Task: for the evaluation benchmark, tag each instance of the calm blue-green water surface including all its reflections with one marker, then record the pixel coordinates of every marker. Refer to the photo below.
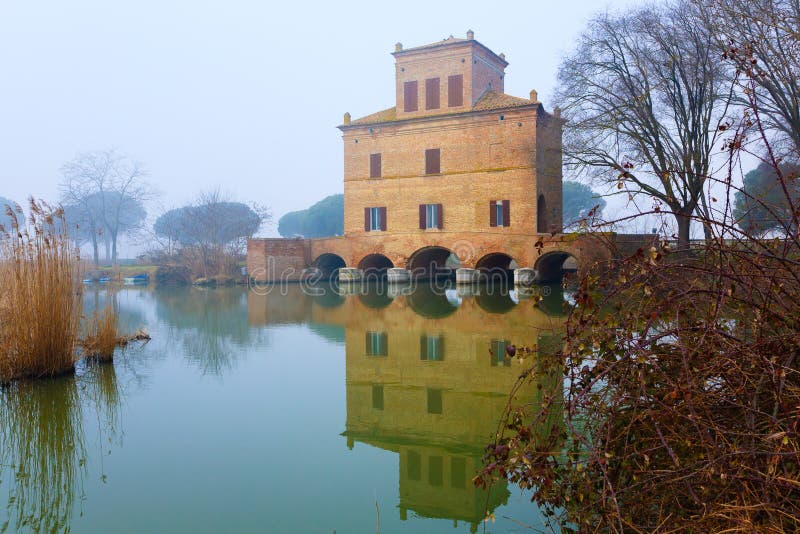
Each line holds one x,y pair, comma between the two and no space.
278,412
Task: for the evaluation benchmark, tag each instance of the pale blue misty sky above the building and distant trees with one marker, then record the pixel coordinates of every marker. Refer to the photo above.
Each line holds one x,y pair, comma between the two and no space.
239,94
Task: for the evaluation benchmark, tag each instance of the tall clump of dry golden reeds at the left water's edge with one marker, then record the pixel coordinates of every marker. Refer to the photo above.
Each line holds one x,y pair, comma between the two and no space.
40,307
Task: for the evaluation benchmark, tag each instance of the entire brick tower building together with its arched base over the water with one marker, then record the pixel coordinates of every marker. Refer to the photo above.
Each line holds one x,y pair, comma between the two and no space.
455,170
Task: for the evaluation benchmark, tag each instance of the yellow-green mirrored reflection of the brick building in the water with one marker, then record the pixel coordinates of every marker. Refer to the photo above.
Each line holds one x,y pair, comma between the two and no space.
428,377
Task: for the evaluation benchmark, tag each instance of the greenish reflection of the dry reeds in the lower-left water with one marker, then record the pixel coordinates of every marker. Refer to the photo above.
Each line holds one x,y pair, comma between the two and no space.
43,453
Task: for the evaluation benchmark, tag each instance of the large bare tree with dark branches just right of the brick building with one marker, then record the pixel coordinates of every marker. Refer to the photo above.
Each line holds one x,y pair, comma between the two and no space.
645,94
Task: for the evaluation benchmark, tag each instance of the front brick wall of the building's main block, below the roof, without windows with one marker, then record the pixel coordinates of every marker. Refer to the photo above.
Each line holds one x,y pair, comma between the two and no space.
483,158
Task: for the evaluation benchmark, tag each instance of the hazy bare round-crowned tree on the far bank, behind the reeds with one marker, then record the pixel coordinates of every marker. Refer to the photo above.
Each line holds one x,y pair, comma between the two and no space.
107,190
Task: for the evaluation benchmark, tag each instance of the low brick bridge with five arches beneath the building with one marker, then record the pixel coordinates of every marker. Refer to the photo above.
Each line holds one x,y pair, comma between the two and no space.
428,254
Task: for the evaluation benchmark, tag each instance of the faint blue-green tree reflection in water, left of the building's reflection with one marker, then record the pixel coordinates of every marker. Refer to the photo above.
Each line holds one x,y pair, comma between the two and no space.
211,325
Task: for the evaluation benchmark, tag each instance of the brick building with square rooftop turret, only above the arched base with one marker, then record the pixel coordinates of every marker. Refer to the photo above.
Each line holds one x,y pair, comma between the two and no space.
455,153
